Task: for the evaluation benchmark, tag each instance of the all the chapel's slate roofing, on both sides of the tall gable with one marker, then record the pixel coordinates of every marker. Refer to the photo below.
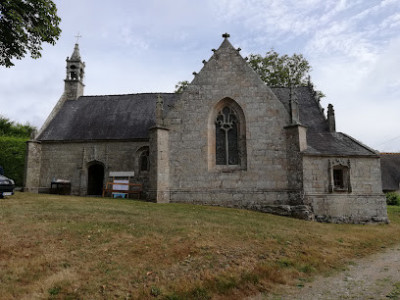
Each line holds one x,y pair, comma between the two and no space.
126,117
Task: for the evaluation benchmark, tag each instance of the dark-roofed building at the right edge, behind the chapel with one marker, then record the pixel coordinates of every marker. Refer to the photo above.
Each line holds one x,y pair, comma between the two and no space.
390,167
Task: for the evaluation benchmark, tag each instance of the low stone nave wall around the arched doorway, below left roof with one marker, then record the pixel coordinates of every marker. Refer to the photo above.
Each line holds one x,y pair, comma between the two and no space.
70,161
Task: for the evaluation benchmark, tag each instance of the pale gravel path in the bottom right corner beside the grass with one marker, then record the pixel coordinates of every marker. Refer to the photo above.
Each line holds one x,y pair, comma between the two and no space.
373,277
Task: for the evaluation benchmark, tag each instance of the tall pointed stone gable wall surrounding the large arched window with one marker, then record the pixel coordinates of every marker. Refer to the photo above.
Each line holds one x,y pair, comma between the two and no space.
261,176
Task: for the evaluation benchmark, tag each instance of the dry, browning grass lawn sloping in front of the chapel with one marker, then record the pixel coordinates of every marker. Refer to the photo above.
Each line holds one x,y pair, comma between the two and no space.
65,247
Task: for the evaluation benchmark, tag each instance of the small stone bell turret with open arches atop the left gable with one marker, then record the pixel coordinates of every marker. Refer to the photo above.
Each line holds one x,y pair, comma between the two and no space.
75,73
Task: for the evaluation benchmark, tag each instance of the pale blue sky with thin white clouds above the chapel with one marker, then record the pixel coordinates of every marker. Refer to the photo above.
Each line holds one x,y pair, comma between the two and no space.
150,45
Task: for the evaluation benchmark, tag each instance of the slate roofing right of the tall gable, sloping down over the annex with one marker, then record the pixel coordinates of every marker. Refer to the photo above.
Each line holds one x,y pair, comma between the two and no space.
319,140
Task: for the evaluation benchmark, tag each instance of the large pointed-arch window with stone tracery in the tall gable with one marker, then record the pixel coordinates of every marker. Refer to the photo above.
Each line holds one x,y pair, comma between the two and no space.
226,137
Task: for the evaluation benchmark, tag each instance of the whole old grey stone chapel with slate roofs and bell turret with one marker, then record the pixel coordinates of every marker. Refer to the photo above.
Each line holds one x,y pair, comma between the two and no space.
227,140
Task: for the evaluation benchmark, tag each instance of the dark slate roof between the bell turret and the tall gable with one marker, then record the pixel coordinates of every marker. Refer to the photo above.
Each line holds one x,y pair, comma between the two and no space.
115,117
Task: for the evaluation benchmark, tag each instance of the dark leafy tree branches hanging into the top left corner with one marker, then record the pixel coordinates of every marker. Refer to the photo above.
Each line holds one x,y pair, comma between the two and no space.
24,25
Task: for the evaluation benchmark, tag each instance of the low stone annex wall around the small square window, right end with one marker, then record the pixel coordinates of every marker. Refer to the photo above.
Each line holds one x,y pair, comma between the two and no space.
363,202
